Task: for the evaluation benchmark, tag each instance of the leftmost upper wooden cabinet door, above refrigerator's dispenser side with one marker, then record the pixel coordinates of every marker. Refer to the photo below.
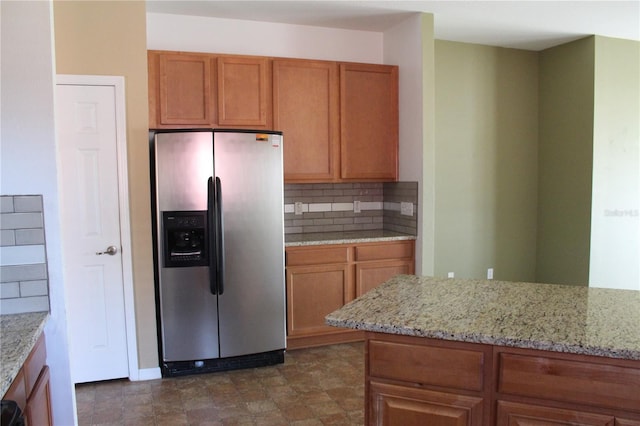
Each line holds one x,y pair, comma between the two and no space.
184,89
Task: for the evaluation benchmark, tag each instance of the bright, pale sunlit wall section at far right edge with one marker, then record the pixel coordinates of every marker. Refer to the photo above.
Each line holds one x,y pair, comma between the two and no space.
615,215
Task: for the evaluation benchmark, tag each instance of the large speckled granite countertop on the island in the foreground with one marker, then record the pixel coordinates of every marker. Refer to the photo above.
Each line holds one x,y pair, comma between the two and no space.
561,318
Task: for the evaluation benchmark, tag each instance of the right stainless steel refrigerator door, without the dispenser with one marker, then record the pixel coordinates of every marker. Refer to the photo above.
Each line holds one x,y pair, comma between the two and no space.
252,307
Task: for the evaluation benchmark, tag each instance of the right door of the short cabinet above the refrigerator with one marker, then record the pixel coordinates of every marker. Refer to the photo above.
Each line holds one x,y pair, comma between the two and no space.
243,91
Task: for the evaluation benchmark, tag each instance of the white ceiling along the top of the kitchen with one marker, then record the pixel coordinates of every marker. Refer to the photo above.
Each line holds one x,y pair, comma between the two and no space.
530,25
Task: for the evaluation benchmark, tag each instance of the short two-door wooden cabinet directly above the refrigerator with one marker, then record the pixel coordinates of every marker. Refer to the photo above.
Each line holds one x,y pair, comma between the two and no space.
205,90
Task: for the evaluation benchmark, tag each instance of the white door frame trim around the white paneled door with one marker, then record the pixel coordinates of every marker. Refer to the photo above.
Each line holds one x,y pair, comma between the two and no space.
117,82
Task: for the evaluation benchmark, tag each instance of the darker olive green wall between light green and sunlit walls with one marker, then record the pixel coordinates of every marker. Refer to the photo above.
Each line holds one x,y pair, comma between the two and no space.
565,162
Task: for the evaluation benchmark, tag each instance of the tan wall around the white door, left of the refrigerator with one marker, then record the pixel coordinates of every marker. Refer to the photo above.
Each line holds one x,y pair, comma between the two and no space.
109,38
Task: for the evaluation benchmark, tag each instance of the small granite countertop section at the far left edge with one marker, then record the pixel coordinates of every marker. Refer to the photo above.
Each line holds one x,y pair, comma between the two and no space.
18,335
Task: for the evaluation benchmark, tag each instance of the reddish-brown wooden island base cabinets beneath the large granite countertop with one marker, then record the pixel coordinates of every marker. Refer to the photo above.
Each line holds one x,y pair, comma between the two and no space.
421,381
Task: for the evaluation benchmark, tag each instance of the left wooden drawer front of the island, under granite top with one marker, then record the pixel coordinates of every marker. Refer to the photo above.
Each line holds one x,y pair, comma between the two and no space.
438,366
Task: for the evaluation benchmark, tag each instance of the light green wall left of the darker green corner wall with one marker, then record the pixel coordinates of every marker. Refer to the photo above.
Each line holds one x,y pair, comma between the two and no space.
486,126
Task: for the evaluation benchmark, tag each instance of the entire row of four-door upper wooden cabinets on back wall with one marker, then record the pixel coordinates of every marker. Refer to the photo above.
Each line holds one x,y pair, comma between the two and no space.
340,120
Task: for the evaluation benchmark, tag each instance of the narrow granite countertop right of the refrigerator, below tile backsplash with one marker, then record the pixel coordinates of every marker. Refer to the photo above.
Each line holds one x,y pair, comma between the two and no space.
347,237
